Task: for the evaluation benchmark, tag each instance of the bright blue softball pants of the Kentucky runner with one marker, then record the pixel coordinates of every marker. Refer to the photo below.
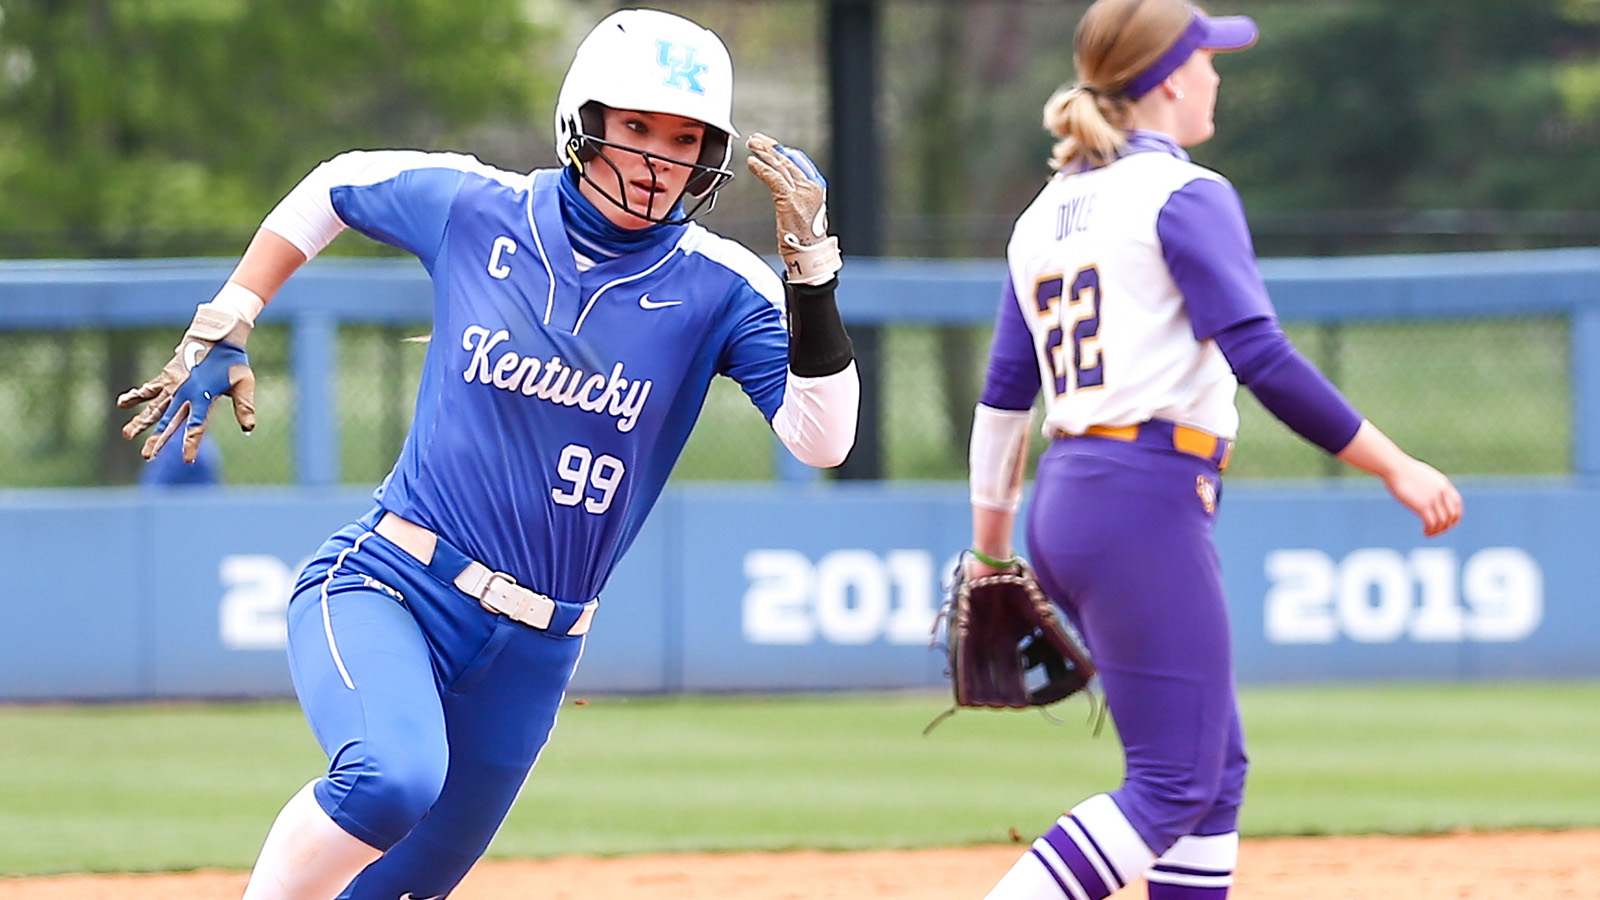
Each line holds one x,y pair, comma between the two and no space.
431,709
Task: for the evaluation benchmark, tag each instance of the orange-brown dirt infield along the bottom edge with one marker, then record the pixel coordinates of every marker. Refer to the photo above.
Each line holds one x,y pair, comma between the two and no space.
1527,866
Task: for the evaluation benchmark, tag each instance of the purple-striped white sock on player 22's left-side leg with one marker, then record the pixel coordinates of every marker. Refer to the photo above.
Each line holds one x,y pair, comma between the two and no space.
1087,856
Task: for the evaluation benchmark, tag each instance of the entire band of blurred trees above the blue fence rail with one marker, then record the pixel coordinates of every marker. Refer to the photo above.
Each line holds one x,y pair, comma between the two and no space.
169,127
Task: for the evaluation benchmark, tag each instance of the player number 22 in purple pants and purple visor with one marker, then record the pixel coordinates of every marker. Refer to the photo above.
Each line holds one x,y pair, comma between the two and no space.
1135,303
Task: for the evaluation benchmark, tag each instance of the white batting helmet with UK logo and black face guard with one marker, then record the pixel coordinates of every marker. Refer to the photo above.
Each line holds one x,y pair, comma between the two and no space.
650,62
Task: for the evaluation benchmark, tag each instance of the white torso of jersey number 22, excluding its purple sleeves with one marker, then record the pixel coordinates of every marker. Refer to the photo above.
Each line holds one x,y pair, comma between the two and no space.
1111,331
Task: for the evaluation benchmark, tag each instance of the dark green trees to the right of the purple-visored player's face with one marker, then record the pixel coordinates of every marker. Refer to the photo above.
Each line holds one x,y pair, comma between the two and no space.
1372,105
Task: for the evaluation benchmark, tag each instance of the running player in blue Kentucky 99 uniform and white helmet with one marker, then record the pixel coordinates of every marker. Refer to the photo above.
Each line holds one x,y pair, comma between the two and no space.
578,321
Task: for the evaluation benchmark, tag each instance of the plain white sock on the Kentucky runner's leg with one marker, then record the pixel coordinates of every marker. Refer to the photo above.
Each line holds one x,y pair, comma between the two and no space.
308,856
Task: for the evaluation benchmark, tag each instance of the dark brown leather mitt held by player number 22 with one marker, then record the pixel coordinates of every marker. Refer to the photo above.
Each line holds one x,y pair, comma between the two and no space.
1009,645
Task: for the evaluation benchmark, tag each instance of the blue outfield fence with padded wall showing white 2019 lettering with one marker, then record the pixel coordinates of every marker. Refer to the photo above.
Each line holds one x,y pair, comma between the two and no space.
812,585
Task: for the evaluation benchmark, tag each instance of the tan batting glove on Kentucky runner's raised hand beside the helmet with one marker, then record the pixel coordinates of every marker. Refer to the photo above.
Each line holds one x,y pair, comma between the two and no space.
801,201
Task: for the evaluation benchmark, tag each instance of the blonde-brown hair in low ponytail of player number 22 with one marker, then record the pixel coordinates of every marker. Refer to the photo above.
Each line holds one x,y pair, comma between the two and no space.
1114,44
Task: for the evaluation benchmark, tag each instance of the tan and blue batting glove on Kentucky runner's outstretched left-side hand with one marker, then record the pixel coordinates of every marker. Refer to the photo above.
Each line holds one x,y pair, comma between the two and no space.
210,361
